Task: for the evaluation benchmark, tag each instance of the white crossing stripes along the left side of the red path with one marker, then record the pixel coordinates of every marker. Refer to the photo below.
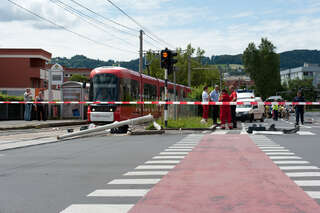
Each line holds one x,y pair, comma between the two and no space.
137,183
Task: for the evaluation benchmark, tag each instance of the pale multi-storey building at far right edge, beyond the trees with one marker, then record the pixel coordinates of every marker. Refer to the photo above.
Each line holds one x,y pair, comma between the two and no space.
307,71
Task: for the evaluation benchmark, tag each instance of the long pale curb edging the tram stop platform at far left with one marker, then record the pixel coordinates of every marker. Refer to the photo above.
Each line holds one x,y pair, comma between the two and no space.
47,125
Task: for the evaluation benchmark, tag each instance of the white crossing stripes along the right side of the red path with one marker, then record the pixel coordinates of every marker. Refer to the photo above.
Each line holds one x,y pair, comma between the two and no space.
300,171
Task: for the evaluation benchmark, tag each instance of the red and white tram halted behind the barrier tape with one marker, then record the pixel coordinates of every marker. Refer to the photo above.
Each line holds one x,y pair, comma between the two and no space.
121,84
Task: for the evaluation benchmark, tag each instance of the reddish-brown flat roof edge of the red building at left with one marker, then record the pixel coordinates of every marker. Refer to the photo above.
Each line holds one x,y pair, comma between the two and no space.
25,53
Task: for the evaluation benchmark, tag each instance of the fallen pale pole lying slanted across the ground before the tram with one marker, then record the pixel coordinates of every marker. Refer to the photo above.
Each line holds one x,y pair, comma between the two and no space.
116,124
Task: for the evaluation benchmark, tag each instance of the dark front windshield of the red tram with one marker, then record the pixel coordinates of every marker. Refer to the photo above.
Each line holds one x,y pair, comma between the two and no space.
104,87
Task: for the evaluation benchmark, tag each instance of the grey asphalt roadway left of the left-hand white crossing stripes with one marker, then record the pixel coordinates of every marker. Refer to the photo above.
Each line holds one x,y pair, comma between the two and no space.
48,178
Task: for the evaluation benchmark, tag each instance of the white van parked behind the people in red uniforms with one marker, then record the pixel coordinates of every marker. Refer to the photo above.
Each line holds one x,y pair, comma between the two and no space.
250,112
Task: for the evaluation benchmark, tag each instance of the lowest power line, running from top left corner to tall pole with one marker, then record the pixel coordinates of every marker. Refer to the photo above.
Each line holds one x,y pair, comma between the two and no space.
64,28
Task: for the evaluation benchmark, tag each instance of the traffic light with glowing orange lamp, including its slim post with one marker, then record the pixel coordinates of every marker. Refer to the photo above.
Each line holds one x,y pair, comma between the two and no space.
167,62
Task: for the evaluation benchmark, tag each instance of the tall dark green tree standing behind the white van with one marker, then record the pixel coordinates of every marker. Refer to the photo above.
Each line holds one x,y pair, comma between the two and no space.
263,66
